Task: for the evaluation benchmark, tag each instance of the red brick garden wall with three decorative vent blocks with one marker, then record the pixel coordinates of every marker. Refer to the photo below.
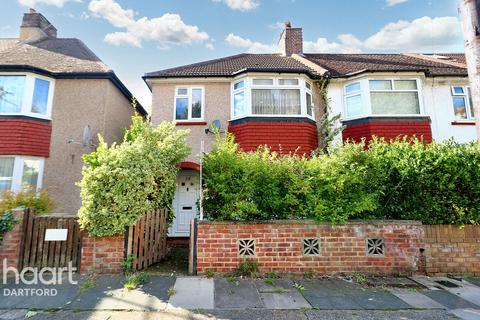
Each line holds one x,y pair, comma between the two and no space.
278,246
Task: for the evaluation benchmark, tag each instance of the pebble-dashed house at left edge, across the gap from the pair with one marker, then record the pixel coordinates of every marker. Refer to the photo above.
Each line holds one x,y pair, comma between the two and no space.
56,95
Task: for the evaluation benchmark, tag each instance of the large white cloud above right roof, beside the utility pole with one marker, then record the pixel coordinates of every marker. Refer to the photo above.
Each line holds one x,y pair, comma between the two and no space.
420,34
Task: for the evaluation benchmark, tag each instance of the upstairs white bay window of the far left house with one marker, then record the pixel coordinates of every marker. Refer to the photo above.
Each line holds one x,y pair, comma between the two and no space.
26,94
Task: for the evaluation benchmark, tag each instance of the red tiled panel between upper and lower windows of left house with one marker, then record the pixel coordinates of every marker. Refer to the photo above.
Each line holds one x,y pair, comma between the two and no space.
25,137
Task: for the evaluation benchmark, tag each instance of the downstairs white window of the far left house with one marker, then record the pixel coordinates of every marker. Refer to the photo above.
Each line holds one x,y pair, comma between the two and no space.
20,173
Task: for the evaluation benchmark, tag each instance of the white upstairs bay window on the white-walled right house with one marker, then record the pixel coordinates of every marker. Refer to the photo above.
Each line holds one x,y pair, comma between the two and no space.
383,97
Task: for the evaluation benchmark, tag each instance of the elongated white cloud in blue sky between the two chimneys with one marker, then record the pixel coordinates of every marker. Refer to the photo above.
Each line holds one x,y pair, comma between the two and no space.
167,30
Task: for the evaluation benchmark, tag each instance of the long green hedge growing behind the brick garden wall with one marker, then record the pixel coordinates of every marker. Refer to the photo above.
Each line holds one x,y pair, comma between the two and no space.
434,183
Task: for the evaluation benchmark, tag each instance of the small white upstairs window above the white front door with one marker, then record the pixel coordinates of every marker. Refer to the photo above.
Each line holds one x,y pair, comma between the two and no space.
189,104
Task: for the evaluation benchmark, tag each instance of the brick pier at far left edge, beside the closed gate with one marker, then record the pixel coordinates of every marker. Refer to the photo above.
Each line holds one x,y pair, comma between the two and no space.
10,246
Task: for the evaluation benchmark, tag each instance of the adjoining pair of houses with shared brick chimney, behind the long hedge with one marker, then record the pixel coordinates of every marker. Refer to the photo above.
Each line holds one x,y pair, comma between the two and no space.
274,100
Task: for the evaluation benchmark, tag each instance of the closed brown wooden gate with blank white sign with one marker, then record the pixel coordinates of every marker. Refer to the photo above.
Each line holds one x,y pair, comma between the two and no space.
38,251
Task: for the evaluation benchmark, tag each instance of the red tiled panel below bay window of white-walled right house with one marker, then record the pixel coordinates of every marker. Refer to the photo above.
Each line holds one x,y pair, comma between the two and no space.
388,130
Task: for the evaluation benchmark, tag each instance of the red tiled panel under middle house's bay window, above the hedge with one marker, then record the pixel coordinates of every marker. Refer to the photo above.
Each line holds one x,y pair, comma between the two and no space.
283,137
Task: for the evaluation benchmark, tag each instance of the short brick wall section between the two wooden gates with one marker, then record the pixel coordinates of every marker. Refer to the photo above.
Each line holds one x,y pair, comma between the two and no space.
102,254
